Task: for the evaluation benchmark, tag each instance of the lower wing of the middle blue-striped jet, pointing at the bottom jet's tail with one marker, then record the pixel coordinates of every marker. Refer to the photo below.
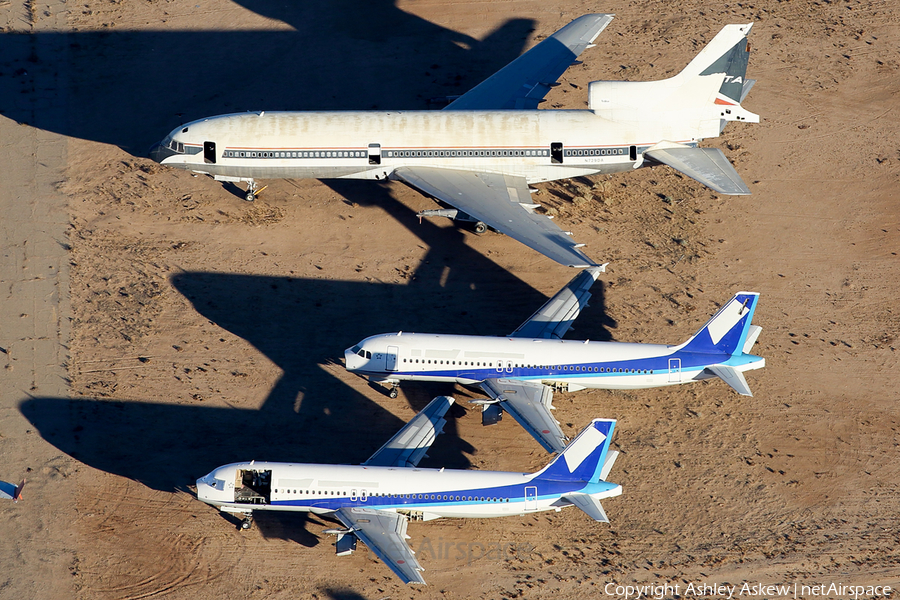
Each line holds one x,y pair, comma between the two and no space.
530,404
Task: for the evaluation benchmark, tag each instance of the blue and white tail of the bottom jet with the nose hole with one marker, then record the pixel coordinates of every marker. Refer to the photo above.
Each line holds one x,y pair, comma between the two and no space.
586,460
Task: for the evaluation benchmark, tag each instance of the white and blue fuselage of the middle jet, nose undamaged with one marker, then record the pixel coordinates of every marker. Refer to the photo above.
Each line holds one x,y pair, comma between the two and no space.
575,364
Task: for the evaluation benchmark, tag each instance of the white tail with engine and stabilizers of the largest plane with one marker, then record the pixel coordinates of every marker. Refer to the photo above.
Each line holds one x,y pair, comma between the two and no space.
697,103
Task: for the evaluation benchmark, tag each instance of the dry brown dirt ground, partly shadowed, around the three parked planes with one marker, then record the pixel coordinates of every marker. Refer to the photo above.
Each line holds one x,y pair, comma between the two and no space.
205,329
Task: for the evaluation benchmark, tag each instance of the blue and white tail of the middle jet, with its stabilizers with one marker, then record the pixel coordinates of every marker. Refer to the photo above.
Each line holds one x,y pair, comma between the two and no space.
730,333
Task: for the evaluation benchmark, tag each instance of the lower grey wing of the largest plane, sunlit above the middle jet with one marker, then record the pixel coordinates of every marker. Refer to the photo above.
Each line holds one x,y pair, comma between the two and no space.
500,201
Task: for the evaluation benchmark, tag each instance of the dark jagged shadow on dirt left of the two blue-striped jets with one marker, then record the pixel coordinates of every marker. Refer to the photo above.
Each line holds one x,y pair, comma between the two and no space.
303,326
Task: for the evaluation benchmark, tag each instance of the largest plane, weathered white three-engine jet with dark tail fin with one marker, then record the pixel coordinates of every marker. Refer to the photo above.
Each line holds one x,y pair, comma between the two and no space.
479,154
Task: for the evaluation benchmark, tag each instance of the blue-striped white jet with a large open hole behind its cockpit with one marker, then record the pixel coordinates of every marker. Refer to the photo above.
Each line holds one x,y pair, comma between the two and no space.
376,500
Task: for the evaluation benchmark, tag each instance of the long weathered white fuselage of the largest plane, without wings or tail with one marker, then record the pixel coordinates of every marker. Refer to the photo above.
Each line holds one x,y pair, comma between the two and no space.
539,145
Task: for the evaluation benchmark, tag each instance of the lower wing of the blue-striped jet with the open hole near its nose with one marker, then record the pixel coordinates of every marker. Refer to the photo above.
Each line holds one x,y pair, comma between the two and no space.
385,534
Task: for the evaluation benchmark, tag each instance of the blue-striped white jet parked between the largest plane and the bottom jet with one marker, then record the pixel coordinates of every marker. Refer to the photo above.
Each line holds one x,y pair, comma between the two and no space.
520,371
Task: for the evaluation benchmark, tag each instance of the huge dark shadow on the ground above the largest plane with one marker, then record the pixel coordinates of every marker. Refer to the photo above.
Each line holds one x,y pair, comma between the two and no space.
130,88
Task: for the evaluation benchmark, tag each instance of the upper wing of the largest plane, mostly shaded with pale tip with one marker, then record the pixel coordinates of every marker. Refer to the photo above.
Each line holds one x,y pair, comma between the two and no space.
524,82
